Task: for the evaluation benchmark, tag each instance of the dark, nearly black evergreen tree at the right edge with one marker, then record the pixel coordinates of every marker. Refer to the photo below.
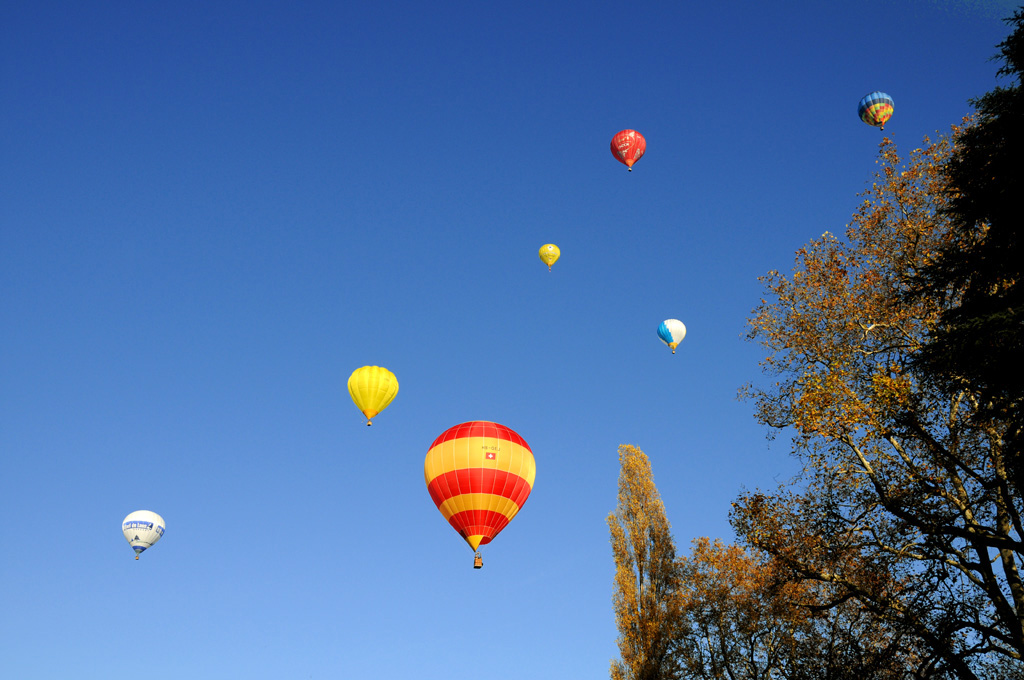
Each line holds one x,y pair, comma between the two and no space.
979,339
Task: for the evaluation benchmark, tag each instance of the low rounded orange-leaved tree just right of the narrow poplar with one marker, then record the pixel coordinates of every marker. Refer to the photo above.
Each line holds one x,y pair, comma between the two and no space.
746,620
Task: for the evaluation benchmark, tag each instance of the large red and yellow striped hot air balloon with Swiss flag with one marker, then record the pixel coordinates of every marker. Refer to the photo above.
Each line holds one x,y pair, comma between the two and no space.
480,475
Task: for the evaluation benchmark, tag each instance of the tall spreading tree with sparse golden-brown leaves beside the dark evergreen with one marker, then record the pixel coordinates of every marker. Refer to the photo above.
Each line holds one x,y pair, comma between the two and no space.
906,504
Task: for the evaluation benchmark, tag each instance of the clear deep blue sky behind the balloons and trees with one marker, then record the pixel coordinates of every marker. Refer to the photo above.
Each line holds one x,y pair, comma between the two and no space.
211,214
